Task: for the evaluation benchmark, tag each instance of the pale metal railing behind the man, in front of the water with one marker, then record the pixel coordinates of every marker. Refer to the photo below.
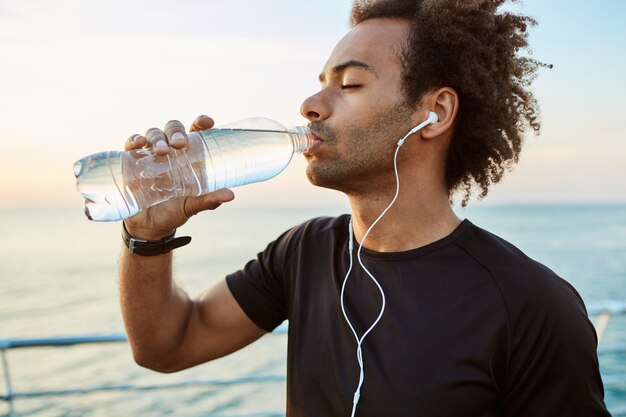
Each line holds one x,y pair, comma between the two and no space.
604,314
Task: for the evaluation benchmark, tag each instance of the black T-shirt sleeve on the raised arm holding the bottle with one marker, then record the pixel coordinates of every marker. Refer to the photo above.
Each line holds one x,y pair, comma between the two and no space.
261,287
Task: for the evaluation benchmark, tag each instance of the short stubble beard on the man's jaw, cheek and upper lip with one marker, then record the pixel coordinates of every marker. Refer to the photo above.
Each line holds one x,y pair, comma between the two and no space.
366,156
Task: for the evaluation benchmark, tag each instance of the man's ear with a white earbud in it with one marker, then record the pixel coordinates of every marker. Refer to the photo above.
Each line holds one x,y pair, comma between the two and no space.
444,102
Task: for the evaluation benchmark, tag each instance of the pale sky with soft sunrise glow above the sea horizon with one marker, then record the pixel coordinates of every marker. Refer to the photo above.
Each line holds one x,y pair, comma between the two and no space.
78,77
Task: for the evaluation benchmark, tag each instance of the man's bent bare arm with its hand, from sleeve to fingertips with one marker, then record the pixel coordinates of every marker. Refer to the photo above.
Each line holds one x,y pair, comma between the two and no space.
167,330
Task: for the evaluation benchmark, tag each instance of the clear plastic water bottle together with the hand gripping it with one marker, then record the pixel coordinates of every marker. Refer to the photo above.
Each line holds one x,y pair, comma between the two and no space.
171,164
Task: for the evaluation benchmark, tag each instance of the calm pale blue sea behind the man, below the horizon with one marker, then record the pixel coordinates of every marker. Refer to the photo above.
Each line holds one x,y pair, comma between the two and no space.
58,277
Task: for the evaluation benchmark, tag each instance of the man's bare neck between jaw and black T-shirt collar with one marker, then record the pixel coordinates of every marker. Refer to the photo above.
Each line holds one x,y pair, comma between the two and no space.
417,218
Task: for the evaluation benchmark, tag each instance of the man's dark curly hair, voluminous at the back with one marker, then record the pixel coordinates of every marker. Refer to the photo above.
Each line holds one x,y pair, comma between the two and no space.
470,46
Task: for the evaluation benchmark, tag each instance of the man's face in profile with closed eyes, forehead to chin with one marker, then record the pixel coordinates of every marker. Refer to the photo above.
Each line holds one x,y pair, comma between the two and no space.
360,113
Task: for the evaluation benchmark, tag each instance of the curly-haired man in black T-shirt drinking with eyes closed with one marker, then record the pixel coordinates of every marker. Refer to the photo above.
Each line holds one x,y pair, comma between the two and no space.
458,321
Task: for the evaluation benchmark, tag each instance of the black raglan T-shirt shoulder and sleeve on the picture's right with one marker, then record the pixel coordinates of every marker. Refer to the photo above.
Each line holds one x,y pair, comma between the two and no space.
548,331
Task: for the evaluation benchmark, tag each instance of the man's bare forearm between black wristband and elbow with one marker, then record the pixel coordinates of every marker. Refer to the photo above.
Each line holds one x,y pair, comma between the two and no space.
156,312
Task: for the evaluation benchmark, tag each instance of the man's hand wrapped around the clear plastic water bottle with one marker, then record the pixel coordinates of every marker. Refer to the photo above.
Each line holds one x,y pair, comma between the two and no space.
159,221
